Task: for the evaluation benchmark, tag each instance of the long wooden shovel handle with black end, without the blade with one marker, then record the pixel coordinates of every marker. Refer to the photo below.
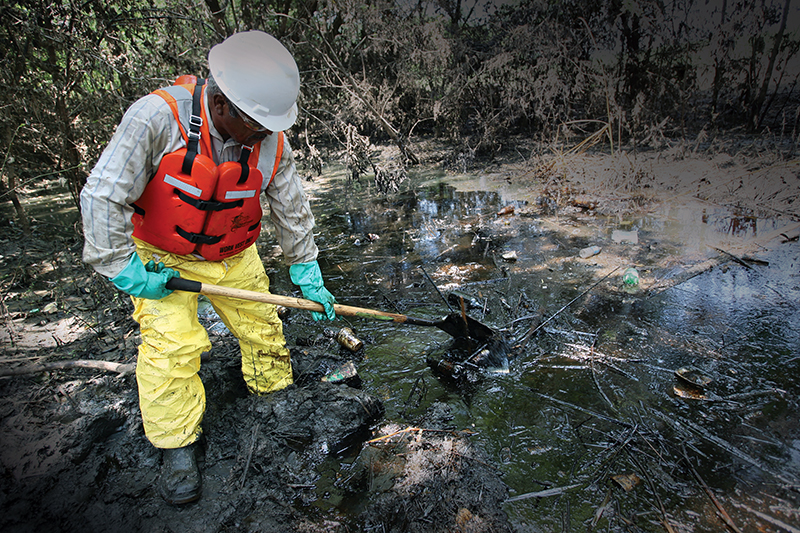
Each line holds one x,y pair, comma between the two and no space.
181,284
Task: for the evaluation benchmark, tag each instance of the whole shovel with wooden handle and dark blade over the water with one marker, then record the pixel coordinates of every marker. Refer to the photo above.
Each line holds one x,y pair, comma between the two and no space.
456,325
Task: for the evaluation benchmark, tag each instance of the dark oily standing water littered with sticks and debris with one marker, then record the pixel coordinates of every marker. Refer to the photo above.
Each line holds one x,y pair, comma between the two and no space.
595,424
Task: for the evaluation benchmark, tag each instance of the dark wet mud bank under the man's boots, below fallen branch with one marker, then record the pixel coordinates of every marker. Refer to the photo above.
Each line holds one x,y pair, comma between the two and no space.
75,458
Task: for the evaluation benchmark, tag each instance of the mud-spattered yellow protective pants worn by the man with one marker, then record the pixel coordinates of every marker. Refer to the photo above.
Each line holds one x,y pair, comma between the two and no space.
171,394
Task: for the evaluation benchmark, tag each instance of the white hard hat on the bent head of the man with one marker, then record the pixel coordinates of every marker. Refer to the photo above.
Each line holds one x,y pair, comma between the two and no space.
259,75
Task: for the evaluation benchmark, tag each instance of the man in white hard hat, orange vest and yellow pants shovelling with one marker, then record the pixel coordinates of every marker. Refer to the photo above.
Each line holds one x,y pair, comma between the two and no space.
176,193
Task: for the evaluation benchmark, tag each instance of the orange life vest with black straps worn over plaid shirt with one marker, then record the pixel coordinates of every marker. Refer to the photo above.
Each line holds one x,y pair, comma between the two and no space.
192,206
